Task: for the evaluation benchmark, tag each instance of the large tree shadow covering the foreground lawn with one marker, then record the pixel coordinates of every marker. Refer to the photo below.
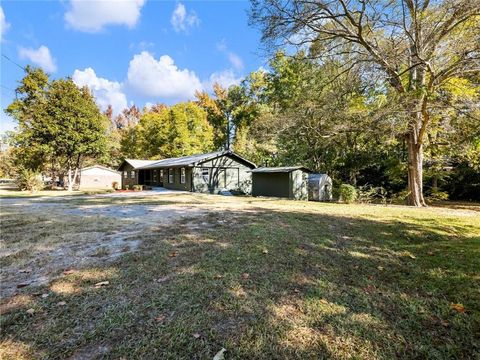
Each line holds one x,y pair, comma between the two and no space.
266,284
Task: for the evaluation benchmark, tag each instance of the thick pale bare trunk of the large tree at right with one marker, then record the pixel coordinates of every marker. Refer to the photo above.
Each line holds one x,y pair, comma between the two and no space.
415,171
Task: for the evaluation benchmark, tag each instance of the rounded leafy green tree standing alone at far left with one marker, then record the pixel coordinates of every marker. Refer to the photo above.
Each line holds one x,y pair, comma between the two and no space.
59,120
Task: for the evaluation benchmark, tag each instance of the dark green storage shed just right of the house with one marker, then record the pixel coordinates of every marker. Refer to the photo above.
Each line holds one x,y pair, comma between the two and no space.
288,182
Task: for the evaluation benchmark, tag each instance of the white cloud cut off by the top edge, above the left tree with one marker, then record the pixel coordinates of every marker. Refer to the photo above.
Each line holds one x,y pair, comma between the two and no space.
94,15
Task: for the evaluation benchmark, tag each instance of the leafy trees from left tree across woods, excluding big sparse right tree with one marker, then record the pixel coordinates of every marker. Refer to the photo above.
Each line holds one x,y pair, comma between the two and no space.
297,112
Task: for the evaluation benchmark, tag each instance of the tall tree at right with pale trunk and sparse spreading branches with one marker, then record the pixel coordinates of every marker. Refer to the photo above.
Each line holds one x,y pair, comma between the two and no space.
417,45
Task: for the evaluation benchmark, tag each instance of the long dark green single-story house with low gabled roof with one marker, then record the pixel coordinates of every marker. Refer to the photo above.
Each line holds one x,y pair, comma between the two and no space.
206,173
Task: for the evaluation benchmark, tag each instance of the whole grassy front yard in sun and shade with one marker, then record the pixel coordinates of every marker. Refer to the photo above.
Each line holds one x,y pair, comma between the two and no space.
262,278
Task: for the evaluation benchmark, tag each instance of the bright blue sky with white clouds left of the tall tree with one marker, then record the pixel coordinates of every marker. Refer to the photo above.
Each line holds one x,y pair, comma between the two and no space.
129,51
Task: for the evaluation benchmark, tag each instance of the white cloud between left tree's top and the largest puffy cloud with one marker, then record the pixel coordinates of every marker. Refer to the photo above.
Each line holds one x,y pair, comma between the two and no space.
106,92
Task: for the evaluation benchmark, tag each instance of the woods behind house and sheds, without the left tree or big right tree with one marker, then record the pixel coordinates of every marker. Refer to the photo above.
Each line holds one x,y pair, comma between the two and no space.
303,112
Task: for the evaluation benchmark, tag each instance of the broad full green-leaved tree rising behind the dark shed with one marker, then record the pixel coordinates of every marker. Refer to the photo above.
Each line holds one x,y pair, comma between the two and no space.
328,125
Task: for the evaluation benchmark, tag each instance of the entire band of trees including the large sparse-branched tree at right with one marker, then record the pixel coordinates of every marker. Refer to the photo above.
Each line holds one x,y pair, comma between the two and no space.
384,96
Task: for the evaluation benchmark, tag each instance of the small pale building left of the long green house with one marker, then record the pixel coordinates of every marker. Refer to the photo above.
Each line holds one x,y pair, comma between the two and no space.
98,177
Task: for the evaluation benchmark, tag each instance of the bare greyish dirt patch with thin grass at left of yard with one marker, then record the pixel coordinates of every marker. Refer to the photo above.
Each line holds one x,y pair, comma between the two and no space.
42,239
